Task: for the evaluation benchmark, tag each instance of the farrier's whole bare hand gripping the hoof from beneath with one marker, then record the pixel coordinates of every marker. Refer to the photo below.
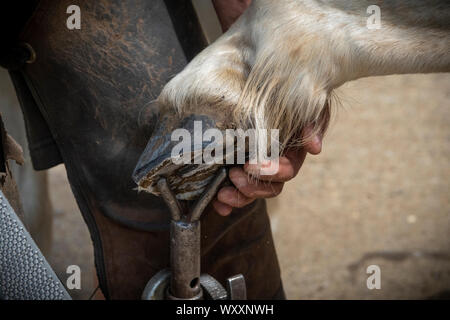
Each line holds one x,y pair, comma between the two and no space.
247,189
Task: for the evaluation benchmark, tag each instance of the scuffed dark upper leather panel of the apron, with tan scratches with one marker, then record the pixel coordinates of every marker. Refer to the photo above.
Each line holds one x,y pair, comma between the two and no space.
94,87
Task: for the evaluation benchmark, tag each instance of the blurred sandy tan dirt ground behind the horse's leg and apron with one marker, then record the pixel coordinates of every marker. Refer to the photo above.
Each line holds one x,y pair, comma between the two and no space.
378,194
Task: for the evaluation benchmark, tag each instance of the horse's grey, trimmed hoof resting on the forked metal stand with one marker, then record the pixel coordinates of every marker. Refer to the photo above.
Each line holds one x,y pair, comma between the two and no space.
188,179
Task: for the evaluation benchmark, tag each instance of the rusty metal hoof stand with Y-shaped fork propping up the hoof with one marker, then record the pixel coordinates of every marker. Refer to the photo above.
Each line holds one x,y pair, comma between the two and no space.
184,281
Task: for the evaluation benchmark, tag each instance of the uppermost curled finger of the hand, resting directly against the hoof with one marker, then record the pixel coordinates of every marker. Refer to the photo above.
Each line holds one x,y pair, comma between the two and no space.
288,167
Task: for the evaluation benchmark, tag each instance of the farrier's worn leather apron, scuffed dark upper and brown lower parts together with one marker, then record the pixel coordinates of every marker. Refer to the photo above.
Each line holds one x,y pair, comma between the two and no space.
94,88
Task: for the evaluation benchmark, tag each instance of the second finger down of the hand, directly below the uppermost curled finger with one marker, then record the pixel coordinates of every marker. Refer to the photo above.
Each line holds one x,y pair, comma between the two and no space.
254,188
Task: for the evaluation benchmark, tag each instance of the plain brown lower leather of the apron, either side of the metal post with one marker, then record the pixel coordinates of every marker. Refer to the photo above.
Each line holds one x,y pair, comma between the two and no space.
241,243
